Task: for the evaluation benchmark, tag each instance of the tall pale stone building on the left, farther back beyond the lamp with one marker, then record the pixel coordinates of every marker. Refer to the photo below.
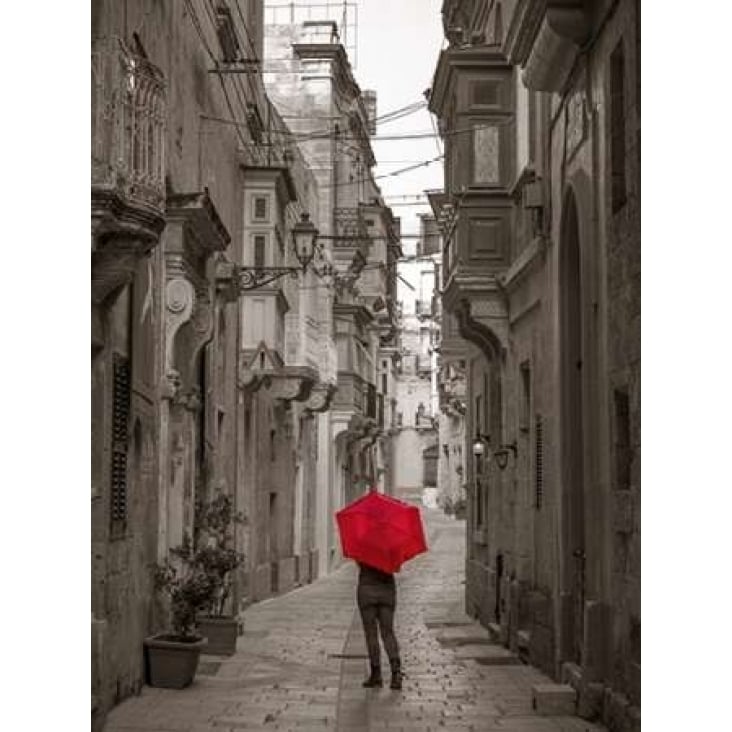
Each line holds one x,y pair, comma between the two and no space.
311,83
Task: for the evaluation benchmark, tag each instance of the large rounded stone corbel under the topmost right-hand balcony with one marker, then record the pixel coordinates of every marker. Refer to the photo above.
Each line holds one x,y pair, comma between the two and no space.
562,31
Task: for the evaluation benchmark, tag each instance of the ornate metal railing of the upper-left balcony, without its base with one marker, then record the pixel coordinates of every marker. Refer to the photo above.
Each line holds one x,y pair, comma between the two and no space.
128,122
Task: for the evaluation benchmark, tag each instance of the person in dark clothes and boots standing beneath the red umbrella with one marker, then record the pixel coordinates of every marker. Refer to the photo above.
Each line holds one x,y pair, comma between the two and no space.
376,598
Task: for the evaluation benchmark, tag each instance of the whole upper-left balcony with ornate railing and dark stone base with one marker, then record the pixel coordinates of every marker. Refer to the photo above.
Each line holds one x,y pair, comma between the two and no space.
128,163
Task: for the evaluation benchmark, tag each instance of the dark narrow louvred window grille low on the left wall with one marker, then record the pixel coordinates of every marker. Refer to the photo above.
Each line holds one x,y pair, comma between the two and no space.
120,438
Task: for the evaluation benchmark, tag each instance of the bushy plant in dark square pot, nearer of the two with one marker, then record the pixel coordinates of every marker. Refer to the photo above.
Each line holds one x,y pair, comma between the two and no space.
172,658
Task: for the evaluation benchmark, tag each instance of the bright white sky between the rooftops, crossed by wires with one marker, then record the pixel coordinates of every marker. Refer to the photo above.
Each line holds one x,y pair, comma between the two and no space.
398,45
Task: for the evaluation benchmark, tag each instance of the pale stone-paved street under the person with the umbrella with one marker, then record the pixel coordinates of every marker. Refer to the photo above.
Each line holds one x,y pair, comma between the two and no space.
301,661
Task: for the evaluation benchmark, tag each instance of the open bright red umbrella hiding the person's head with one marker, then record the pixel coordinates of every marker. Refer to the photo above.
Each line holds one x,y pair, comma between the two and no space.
381,531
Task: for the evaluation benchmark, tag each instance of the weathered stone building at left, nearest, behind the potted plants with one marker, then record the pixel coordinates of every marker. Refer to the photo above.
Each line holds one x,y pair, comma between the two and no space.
200,382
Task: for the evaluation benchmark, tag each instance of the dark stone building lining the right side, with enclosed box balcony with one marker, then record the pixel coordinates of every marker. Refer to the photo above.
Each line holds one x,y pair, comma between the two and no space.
539,107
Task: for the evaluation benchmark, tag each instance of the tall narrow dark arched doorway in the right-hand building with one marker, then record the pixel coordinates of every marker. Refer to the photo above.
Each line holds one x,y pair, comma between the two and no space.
573,435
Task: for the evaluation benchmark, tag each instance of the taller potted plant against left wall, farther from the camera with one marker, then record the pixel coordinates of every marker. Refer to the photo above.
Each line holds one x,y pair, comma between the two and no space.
218,558
